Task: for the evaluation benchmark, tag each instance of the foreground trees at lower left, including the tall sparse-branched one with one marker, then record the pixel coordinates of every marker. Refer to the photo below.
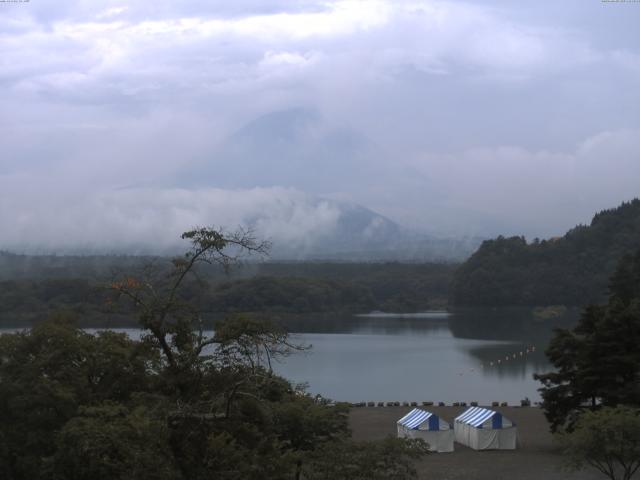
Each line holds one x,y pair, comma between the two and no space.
176,404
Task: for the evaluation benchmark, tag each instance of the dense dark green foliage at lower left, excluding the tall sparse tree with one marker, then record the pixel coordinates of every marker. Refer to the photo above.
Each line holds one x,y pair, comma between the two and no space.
75,405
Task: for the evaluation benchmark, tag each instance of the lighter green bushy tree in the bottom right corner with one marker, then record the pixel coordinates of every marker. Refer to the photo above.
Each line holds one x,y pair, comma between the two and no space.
607,440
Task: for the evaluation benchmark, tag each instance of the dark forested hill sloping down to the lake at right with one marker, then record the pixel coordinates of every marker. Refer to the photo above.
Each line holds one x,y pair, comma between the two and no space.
572,270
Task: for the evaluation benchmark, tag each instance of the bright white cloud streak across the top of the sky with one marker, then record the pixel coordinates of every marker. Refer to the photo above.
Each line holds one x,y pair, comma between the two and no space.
434,36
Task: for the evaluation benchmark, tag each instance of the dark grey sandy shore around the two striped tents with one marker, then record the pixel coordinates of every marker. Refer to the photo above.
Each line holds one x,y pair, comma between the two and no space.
535,458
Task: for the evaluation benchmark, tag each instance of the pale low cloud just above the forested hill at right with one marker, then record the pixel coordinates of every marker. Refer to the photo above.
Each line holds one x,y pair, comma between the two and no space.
536,192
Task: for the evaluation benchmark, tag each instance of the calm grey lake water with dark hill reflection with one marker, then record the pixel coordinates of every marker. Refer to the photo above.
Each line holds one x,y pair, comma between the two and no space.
481,355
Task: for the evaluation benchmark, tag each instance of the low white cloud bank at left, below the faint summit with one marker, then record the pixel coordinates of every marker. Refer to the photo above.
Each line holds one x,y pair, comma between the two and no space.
151,220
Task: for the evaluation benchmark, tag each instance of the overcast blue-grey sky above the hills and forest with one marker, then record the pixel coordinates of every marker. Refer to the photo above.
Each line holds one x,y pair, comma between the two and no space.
480,117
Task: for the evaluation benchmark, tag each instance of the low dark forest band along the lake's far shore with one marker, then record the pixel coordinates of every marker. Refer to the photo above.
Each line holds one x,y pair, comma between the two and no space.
265,288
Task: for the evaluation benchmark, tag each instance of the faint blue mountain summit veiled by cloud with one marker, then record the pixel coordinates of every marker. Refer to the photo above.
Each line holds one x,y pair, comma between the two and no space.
291,148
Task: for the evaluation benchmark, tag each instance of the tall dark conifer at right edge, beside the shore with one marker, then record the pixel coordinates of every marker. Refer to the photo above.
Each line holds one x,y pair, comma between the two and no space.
598,362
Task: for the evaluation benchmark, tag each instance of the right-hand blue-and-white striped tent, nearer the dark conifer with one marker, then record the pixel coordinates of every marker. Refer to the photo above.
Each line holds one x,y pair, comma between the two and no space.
484,429
